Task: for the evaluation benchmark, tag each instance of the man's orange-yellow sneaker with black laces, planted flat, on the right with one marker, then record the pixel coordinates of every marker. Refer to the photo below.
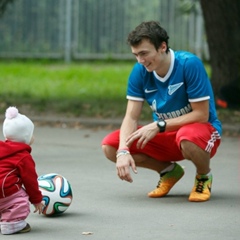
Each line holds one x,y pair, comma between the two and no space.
201,191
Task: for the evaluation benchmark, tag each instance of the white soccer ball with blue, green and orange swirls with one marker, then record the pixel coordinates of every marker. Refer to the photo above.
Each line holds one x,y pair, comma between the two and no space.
57,193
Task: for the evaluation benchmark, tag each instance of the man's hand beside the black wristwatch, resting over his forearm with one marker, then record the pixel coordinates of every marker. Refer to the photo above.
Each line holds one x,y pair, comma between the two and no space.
143,134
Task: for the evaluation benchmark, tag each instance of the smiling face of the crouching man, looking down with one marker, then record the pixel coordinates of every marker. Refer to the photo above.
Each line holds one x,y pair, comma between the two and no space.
147,55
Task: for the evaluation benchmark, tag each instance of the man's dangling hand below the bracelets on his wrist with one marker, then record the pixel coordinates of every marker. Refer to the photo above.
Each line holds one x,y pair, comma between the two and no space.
123,164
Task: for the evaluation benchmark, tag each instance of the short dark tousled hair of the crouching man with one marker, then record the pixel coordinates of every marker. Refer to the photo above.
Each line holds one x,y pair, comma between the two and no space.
148,30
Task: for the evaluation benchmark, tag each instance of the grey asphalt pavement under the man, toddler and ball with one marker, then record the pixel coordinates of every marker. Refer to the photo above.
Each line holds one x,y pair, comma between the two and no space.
105,207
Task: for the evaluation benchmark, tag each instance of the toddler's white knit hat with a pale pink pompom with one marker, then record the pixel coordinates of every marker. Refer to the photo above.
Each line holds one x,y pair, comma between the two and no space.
17,127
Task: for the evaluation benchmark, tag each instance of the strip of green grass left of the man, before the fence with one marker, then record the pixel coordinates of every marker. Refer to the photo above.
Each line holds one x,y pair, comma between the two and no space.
80,89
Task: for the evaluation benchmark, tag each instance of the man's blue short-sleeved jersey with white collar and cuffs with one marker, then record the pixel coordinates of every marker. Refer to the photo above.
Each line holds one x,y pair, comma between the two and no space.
170,96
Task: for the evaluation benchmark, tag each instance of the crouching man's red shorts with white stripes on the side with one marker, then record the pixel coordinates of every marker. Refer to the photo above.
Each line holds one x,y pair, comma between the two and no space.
166,146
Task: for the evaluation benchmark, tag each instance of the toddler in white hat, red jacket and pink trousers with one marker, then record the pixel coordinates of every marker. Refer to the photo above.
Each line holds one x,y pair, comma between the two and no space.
18,177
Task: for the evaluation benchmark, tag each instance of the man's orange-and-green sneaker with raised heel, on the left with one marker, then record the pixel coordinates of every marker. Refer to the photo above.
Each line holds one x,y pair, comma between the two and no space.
167,181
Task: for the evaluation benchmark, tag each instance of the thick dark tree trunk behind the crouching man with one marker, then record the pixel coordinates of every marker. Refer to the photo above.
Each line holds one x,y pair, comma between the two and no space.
222,24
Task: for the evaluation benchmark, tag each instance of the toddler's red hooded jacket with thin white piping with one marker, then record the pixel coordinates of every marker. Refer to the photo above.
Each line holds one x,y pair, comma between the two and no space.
17,170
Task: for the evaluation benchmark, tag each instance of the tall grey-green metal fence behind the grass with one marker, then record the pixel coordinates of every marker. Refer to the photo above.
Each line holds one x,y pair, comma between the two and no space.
93,29
